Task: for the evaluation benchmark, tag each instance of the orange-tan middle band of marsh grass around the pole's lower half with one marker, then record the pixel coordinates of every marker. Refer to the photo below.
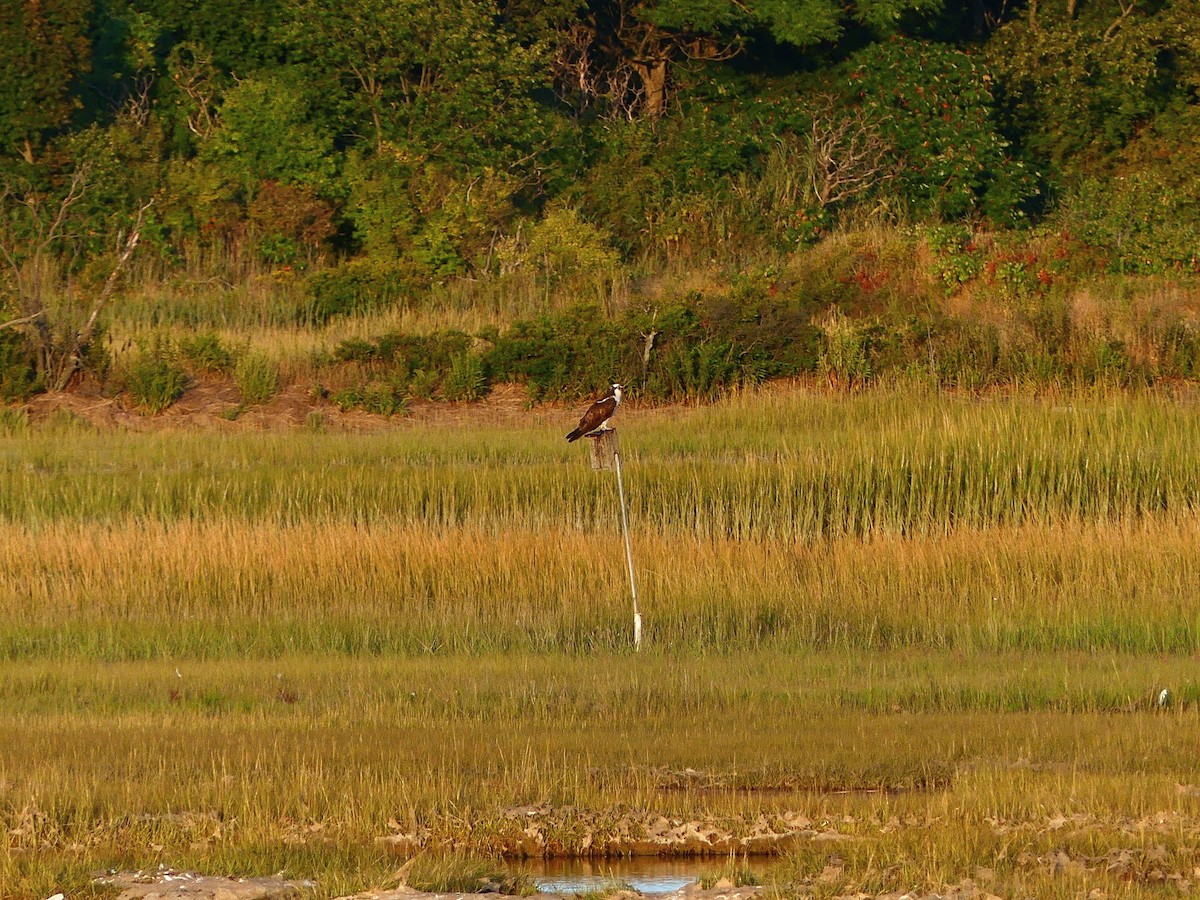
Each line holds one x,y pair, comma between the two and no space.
212,591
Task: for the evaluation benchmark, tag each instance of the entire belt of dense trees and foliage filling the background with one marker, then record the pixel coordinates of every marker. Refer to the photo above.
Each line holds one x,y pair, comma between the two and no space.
424,135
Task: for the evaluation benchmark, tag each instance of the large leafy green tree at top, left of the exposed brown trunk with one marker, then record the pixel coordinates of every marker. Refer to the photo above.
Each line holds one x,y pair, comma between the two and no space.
441,79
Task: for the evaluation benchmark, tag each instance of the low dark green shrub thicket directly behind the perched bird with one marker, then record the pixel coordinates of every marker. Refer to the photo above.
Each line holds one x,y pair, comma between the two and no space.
687,351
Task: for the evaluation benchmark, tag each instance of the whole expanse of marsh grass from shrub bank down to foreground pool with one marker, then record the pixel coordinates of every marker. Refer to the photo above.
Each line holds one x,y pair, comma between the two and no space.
933,627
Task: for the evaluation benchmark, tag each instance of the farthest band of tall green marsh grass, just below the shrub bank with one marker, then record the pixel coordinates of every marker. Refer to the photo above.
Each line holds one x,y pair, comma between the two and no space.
801,467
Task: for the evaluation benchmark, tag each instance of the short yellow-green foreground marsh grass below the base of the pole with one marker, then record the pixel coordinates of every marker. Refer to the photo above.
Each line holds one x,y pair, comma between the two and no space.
109,767
